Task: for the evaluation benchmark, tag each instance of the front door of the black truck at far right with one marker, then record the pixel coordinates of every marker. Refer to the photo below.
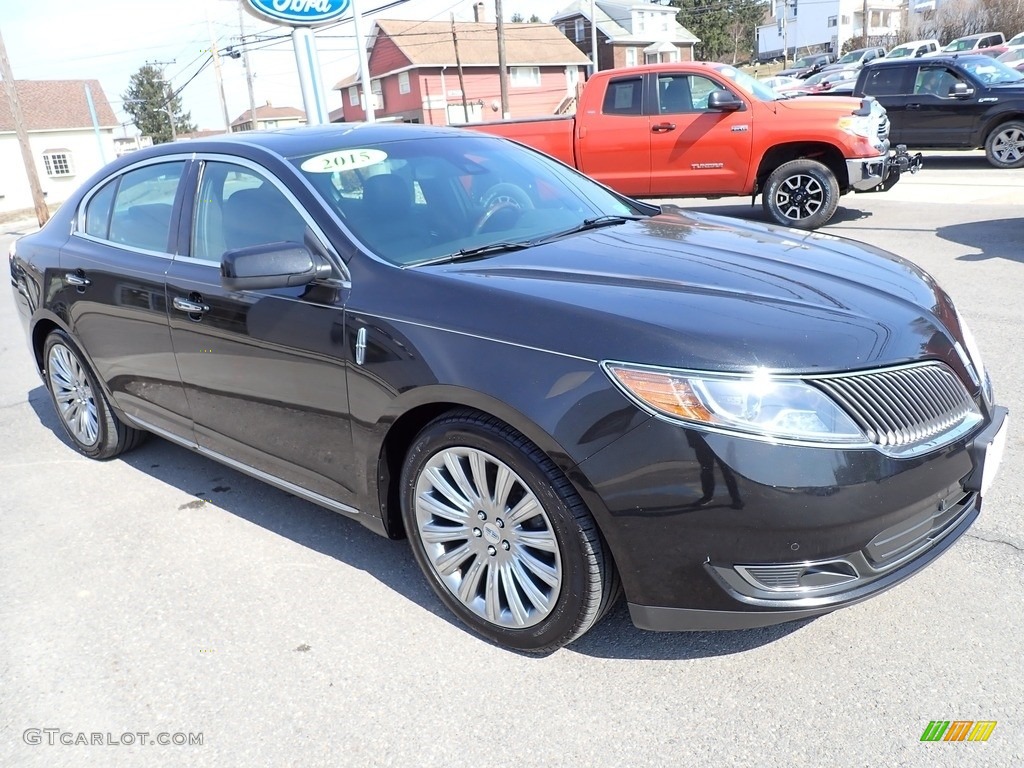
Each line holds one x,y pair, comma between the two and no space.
934,117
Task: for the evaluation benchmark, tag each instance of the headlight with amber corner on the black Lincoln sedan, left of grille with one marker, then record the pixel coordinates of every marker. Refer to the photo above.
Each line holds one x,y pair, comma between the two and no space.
757,404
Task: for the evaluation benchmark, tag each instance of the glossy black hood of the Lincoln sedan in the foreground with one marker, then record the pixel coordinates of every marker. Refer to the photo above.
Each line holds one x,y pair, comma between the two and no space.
698,291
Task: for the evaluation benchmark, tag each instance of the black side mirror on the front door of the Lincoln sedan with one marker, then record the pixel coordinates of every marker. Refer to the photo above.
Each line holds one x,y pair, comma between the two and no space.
271,266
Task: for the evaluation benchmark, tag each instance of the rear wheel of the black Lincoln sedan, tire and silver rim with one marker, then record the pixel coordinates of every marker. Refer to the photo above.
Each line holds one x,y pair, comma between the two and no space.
88,419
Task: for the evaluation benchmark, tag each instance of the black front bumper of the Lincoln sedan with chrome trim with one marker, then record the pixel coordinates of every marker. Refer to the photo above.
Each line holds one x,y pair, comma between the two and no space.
732,534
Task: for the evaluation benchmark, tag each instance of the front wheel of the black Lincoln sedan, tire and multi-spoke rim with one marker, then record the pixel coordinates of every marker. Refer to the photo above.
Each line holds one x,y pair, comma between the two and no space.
533,616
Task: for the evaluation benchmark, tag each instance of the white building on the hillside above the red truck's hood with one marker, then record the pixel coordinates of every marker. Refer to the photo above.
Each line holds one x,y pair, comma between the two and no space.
803,26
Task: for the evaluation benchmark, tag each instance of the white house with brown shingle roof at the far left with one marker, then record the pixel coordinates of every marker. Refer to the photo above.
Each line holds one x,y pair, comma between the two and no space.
64,140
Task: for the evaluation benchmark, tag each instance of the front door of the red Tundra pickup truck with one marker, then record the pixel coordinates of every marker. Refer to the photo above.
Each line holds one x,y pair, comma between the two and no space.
696,150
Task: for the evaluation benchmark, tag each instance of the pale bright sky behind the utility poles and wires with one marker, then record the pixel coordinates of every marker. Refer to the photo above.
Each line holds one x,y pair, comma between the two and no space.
110,40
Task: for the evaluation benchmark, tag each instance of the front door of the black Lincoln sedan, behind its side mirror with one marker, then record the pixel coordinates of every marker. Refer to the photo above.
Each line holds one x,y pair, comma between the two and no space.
265,370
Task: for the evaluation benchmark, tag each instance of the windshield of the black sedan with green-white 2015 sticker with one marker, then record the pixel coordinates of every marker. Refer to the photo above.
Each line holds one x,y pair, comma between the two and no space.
413,202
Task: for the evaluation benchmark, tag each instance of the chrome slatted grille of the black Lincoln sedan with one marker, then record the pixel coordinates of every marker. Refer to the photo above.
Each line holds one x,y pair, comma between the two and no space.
904,407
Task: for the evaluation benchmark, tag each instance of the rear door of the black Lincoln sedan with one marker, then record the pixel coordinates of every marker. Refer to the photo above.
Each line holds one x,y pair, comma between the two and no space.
114,266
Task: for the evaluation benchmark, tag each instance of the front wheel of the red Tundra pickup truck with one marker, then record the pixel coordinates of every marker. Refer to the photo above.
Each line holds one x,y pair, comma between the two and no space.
802,193
